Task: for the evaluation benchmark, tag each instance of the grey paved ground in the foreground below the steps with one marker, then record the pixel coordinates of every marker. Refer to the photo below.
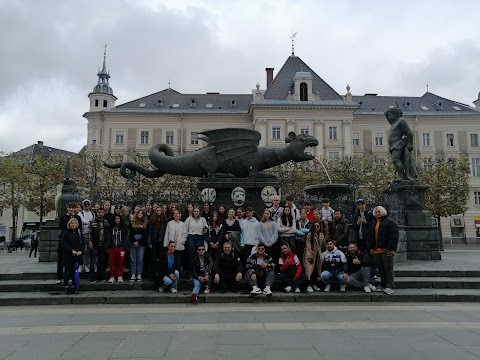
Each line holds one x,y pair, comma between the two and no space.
231,331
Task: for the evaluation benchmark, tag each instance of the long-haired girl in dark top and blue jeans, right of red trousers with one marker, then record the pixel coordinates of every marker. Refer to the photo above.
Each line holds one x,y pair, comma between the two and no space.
138,242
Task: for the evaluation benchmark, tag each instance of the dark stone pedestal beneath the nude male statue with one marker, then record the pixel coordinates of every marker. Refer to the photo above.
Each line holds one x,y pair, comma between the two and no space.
419,239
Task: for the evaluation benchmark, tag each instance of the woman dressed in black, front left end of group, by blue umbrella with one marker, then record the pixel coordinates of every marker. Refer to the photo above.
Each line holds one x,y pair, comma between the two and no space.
72,246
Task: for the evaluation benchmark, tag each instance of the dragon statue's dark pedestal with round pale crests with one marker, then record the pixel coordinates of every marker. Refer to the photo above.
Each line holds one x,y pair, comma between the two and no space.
255,190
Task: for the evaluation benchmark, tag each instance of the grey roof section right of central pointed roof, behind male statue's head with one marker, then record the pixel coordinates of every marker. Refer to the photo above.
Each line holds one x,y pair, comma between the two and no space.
427,104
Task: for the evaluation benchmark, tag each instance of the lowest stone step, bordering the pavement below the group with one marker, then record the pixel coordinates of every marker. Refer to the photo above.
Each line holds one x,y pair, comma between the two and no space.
151,297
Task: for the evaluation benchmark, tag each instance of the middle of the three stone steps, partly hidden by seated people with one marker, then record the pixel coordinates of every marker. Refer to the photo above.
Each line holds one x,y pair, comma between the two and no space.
185,284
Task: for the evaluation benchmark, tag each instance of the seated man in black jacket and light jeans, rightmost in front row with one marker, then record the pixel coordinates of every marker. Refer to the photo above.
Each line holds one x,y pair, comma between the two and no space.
359,268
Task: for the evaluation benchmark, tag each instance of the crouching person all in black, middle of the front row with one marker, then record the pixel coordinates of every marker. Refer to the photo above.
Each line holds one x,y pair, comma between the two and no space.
228,269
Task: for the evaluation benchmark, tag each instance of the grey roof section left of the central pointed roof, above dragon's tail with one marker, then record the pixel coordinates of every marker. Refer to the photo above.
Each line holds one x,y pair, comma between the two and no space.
171,100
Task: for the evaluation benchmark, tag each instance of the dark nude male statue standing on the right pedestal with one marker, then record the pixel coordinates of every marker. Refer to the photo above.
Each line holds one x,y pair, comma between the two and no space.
400,141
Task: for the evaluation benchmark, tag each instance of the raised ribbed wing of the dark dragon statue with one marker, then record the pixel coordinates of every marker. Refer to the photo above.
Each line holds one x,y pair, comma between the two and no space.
232,143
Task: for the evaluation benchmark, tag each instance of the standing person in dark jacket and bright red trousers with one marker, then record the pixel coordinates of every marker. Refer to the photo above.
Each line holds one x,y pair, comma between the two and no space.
116,240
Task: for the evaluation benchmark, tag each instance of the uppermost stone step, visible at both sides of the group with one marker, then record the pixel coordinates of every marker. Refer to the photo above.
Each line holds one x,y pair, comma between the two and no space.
146,275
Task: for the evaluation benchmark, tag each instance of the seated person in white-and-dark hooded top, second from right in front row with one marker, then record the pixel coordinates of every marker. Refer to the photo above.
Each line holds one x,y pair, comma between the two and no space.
335,266
